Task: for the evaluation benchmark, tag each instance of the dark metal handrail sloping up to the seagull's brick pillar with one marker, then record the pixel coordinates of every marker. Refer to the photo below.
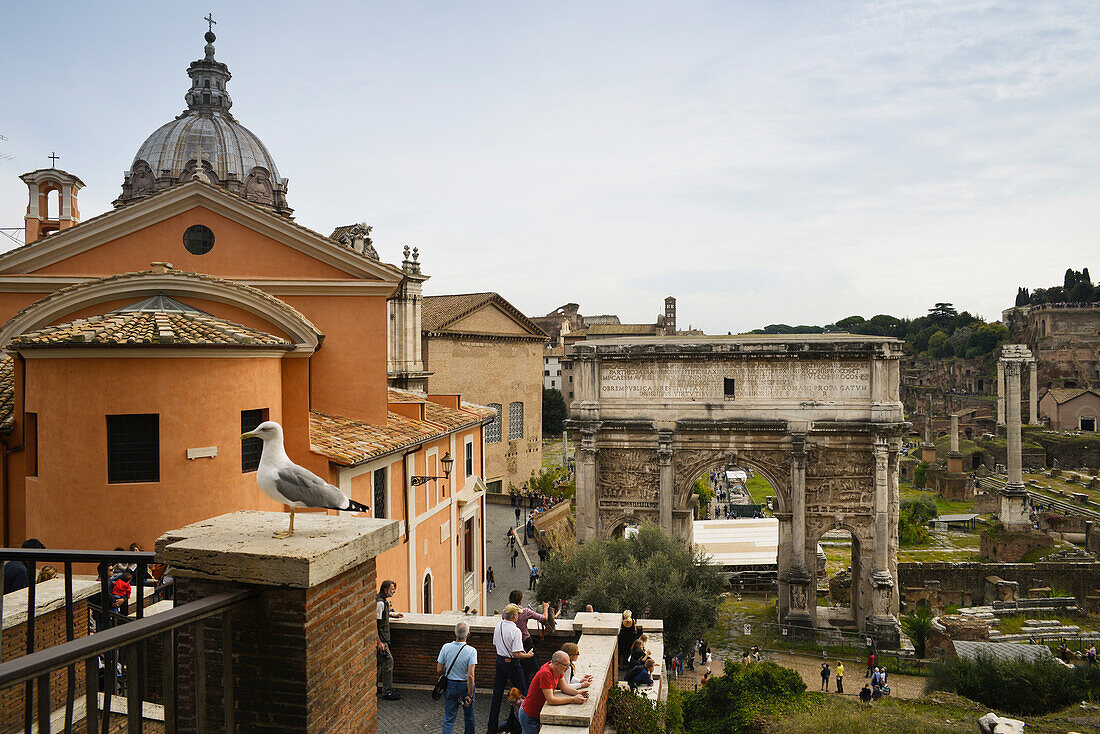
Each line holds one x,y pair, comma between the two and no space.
41,663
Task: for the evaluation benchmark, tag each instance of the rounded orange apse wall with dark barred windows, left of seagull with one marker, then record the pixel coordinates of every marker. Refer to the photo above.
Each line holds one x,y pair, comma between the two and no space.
200,401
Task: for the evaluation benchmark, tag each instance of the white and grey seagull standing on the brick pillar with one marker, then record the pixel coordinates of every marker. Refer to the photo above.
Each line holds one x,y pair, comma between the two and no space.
287,483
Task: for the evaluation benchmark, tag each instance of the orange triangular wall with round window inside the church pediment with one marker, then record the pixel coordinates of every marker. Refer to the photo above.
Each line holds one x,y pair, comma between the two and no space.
238,253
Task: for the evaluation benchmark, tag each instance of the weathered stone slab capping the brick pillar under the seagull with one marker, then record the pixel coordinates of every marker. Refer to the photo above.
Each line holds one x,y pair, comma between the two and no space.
239,547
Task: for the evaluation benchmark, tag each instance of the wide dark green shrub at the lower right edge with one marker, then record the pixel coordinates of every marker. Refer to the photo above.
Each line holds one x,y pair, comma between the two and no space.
1019,686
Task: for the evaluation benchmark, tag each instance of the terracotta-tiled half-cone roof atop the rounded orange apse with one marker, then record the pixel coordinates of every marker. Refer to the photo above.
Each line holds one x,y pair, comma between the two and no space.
149,330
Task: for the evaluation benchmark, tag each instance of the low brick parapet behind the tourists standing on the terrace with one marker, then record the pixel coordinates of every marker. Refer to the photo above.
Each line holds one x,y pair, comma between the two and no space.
416,651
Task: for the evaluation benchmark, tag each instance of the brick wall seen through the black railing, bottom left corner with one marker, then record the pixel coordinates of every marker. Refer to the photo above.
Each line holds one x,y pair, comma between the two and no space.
49,632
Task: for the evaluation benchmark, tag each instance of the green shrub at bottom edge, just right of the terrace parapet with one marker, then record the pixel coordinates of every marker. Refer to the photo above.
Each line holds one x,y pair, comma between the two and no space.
741,698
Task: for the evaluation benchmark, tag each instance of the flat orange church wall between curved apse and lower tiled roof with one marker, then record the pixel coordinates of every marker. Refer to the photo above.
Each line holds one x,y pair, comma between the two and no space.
349,370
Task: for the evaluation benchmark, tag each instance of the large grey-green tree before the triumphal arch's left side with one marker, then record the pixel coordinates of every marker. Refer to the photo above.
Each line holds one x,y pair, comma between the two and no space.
651,574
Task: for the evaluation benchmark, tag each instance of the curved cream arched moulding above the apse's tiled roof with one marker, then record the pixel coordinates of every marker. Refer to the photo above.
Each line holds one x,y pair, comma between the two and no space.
179,284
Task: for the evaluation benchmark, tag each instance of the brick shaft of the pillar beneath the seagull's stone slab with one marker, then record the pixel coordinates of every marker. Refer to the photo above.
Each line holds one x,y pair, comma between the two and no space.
288,643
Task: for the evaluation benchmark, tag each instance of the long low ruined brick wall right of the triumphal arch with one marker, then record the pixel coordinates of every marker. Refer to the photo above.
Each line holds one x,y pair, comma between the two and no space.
1077,579
